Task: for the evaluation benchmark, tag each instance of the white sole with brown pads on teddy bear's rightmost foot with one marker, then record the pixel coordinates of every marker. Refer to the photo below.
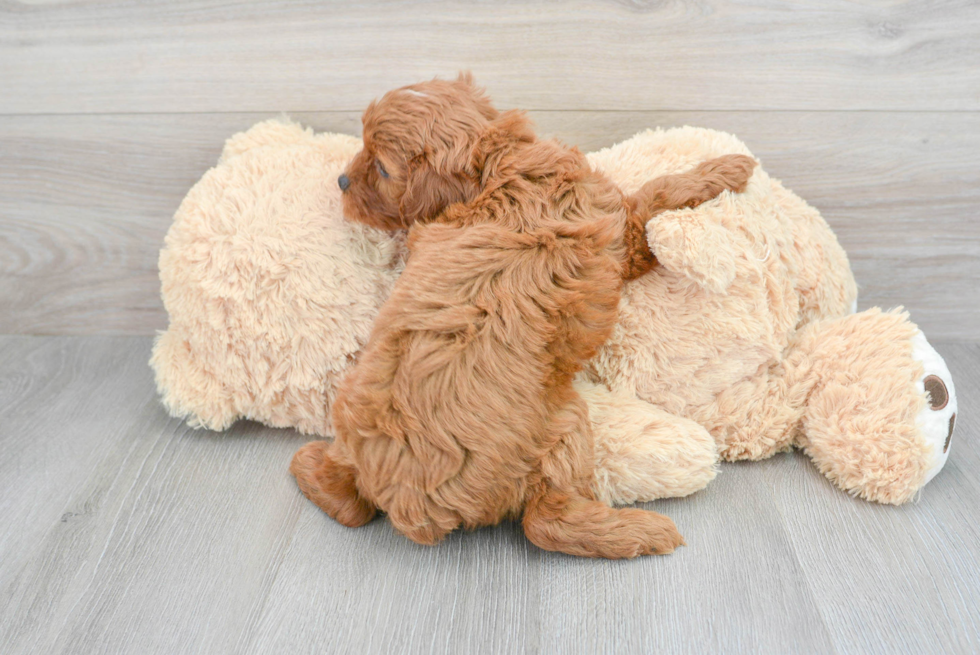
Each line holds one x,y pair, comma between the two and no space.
937,419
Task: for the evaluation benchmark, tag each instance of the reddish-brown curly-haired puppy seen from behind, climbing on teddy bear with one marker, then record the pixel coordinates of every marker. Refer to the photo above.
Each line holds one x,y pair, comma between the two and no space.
461,411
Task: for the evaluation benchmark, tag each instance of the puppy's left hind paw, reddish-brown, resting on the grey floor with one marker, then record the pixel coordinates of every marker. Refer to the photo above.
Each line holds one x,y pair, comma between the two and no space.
330,483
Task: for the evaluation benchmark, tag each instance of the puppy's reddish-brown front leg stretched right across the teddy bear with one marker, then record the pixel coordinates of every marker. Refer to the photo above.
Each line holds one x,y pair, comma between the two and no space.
690,189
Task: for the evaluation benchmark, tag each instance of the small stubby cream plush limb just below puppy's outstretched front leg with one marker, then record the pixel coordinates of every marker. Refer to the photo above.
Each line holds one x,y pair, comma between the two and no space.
689,243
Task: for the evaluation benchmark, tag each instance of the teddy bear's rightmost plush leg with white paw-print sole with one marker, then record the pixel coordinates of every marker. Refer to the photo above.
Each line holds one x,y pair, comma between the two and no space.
880,417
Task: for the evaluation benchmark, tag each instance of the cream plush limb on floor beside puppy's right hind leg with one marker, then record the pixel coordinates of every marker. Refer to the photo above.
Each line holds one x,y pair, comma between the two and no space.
643,452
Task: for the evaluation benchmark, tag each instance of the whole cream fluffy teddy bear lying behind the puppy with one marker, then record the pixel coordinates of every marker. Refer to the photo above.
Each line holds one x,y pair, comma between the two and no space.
739,343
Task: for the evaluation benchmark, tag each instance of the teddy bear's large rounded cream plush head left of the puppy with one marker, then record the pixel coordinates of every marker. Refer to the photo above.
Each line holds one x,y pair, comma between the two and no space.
271,293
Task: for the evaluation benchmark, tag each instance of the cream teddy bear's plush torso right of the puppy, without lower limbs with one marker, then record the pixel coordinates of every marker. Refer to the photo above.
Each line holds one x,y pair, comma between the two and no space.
737,279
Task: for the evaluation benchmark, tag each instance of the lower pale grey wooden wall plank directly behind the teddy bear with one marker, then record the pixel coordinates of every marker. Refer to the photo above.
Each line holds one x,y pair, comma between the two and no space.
86,200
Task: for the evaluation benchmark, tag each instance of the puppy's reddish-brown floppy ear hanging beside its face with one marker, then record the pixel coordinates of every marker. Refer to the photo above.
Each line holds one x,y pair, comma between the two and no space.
428,191
